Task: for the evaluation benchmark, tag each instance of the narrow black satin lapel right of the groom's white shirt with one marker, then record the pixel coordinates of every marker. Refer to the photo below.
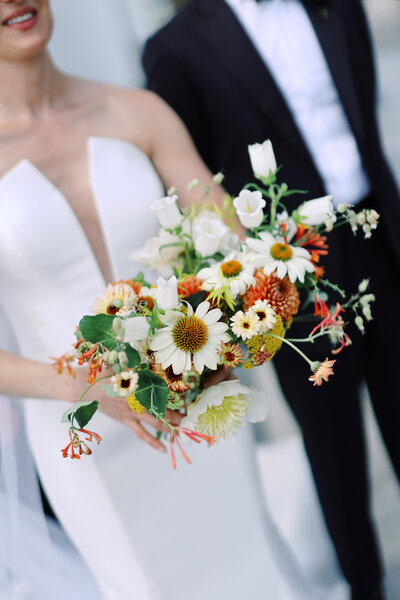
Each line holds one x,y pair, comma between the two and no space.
331,35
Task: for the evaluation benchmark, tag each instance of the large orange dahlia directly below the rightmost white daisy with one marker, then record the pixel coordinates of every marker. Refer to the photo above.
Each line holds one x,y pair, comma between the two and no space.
282,294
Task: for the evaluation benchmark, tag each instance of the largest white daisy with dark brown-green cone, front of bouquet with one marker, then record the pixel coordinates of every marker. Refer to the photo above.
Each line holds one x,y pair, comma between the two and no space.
188,337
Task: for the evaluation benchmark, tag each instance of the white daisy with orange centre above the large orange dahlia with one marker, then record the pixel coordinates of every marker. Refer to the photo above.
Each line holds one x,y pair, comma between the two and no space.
272,254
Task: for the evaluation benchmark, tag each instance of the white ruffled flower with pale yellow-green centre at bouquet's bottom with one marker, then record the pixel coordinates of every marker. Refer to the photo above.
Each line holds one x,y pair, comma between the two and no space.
221,409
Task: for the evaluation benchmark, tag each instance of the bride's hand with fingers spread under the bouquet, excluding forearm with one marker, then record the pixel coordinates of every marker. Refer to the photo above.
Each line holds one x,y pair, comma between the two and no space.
118,409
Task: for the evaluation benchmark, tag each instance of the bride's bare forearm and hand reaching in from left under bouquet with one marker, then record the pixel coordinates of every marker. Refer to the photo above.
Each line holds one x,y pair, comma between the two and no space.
23,378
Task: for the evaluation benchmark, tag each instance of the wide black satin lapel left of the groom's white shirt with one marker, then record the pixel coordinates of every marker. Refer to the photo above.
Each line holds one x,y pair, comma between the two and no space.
224,34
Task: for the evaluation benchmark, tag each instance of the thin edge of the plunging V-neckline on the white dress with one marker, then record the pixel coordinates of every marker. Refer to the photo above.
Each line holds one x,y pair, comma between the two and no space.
98,213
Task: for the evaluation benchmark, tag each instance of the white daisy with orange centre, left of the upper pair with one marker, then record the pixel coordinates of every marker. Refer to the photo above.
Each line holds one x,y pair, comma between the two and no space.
234,273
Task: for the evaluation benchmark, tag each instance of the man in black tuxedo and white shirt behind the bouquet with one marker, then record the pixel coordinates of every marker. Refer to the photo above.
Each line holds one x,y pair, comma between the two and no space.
302,74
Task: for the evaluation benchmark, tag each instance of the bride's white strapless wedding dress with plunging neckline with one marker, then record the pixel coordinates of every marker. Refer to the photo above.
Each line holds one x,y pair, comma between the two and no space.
144,530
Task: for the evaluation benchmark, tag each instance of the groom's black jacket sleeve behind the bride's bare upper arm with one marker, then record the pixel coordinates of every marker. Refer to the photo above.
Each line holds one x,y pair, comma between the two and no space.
172,80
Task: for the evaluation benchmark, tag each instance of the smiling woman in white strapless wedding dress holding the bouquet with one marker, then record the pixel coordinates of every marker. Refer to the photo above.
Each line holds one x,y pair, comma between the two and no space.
79,165
